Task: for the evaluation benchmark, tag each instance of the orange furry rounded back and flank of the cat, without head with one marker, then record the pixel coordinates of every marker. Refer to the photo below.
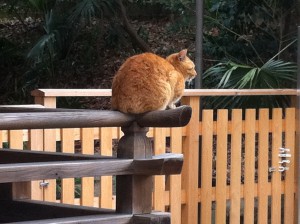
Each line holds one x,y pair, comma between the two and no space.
142,84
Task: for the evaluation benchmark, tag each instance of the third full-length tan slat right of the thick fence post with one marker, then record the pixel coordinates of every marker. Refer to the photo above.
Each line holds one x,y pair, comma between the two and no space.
235,172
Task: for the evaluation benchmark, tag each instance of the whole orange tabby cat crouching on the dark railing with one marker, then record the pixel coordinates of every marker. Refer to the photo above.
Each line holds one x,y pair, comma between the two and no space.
147,82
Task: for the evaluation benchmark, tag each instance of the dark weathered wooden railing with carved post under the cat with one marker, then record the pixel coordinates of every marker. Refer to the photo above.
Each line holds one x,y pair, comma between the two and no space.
133,165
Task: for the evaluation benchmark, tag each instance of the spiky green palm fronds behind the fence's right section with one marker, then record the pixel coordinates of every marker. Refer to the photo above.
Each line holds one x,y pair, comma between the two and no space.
274,74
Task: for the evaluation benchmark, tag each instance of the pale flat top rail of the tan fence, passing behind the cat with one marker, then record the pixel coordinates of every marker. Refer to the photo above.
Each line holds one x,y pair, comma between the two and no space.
187,92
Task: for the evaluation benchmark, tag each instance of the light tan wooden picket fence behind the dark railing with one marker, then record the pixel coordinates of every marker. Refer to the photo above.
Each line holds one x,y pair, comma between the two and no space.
227,157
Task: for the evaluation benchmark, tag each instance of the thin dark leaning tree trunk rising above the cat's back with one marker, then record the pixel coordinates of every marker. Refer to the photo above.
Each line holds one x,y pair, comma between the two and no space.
136,39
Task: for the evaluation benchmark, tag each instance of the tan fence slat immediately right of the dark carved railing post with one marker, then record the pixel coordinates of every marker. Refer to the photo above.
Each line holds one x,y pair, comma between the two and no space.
159,181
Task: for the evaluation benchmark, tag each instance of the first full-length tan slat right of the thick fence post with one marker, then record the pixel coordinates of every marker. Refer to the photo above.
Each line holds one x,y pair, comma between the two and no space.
206,166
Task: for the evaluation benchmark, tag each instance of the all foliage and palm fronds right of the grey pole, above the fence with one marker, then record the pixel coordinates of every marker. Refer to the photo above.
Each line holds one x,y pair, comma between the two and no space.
245,35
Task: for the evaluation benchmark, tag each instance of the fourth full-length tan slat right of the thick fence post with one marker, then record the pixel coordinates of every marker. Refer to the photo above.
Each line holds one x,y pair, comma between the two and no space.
249,166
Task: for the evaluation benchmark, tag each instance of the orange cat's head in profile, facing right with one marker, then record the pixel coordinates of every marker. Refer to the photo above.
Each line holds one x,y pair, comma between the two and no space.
183,64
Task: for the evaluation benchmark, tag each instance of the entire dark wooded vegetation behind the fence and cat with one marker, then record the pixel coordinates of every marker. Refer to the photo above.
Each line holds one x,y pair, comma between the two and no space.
81,44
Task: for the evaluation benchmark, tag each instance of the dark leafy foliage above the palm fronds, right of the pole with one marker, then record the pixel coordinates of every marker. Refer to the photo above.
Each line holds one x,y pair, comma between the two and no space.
247,32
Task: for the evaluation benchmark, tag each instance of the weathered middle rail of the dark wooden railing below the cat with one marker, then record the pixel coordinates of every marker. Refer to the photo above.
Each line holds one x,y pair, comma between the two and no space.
26,170
